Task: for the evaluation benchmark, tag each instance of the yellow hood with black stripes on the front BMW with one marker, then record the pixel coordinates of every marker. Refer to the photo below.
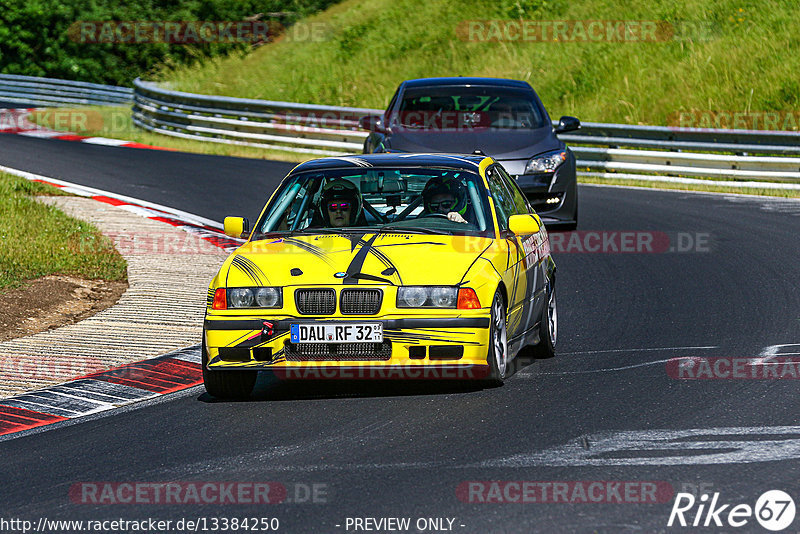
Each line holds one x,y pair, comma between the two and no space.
407,259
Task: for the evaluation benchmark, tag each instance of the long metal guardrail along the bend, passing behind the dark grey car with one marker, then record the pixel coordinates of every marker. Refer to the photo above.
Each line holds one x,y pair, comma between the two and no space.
601,149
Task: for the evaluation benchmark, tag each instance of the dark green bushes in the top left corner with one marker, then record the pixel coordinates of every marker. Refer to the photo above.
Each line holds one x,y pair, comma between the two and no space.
37,42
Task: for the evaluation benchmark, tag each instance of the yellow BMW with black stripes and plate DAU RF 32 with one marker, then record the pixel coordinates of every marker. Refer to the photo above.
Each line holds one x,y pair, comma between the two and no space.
382,266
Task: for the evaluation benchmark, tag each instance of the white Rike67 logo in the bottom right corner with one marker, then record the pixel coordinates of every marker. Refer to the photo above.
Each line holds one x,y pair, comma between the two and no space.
774,510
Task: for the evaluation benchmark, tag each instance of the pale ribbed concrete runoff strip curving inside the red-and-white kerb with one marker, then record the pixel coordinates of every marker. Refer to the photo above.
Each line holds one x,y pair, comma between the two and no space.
161,311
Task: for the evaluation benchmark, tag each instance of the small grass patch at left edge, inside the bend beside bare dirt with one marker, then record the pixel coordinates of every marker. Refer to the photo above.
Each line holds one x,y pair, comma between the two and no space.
38,240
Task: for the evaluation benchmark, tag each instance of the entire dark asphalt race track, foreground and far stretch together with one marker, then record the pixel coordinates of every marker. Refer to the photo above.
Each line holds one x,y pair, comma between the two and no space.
592,413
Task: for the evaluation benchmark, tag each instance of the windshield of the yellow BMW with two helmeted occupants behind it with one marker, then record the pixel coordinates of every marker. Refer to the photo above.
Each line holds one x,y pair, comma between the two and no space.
413,200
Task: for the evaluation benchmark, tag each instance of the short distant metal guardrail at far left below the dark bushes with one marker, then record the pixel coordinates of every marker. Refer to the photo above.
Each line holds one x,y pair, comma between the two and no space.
55,92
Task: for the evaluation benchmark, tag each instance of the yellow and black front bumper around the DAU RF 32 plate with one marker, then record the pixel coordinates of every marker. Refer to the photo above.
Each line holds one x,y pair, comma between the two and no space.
454,347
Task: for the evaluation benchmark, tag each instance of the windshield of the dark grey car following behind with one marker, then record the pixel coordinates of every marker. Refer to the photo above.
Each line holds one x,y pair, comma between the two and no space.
459,107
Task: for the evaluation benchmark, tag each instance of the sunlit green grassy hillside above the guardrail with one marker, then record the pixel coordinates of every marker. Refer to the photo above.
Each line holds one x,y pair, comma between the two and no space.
744,60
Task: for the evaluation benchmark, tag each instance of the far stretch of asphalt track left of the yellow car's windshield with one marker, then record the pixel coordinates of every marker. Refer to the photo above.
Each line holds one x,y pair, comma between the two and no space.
215,186
